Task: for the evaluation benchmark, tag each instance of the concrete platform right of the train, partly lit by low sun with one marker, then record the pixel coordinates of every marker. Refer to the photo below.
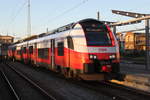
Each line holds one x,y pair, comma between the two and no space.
135,76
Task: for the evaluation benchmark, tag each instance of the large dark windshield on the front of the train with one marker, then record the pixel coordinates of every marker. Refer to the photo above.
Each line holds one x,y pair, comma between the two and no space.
97,35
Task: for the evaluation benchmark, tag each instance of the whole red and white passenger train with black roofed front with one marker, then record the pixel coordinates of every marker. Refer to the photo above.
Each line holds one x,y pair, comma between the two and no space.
87,49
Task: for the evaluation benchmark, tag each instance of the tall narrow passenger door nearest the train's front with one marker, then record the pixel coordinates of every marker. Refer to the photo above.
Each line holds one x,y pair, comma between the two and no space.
52,53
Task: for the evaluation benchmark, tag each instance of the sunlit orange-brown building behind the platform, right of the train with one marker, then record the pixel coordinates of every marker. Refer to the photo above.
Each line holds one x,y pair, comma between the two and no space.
131,42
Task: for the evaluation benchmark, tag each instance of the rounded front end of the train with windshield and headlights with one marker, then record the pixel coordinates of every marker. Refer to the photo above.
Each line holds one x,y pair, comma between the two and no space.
103,50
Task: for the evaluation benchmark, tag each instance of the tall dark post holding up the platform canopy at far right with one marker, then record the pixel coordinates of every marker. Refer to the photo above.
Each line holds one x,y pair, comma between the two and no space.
147,44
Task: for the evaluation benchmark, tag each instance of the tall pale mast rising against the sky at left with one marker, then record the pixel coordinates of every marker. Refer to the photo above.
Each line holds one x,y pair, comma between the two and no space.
29,20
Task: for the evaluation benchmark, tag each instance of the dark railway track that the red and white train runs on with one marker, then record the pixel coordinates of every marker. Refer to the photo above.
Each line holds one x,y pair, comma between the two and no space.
115,91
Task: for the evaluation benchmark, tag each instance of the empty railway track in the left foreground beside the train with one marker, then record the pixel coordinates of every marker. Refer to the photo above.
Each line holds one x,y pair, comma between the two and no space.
25,87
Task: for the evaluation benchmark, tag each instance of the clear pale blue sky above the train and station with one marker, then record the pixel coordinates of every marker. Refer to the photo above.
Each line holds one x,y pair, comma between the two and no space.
52,14
